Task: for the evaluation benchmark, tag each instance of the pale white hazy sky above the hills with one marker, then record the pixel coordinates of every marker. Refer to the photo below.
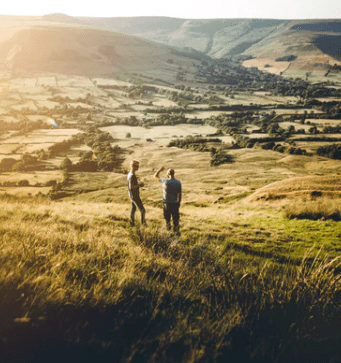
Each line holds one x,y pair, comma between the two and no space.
200,9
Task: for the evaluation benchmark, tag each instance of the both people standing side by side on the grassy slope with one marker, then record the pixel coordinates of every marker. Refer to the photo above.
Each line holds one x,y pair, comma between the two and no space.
171,199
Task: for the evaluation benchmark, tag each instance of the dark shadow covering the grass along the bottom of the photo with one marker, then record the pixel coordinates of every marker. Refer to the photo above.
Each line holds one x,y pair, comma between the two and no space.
132,331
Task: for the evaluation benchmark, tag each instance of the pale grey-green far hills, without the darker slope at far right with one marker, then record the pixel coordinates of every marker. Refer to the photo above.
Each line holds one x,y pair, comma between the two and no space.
216,37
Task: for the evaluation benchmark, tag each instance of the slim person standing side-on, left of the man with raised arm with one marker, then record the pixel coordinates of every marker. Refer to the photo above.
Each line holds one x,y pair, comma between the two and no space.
134,193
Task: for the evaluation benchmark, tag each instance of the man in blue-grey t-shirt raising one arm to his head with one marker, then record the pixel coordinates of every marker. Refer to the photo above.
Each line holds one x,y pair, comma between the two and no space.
171,198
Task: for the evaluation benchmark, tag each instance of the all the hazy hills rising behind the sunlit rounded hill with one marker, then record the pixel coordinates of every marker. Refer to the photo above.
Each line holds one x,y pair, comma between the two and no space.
220,38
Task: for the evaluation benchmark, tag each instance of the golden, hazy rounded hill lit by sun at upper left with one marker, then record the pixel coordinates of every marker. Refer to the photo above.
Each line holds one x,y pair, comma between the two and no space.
70,48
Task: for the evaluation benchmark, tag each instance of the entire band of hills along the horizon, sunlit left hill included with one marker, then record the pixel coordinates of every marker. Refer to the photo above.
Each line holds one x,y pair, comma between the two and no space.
310,43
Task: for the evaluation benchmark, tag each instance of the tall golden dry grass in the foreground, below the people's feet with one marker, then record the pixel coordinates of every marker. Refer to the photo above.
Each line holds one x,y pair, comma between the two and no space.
79,284
